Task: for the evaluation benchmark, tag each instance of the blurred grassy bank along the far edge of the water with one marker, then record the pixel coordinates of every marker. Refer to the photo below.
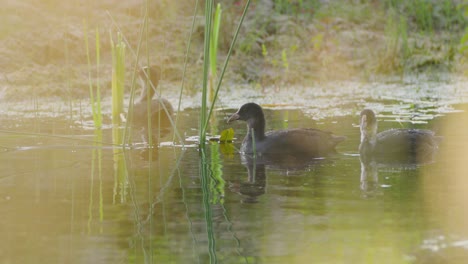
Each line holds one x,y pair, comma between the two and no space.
281,42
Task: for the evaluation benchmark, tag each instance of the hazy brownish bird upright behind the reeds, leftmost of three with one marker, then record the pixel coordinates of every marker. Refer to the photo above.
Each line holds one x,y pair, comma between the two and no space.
161,109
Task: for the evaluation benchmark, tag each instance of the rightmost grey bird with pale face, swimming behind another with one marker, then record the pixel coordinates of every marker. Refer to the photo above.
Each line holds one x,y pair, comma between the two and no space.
398,145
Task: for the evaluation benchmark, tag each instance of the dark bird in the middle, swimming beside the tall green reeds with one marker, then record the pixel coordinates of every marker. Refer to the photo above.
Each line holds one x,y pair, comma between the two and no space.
299,142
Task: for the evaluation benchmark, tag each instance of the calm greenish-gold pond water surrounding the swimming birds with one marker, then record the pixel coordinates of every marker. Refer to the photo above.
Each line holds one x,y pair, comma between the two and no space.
68,196
